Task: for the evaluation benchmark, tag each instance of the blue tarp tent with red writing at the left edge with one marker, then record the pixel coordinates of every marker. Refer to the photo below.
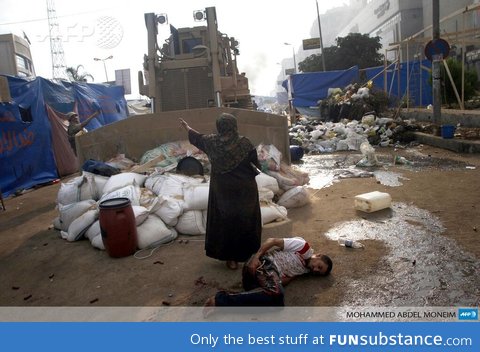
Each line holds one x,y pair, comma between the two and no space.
34,147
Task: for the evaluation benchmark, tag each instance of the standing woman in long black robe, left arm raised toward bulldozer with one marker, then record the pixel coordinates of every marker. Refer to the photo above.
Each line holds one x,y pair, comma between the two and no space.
234,224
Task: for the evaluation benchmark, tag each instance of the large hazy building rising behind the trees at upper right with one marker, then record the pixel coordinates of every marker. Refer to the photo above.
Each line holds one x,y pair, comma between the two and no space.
398,22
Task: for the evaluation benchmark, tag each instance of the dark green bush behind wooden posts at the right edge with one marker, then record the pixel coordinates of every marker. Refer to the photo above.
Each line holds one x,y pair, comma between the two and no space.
455,67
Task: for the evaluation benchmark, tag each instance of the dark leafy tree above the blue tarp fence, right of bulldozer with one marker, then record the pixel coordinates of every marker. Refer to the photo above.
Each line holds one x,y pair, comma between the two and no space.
354,49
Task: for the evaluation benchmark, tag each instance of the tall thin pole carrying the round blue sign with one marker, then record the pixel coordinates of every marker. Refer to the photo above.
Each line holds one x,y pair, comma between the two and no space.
436,63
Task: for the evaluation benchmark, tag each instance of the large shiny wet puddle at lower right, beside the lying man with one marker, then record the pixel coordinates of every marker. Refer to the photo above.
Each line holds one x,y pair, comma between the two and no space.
422,268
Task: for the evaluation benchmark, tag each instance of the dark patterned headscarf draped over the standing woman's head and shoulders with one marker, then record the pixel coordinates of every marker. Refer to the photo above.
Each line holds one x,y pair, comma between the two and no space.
227,149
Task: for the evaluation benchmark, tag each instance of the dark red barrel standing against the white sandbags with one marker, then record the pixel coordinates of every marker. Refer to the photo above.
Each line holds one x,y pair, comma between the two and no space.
118,228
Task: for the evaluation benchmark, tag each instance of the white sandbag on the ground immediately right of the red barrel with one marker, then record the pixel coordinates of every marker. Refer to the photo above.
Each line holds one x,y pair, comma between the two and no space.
154,232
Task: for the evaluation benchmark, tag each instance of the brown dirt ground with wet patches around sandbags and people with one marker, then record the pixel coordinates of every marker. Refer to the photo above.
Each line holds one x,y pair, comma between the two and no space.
430,259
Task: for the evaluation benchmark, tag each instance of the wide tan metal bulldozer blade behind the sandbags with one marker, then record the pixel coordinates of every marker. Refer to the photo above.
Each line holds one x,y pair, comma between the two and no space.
138,134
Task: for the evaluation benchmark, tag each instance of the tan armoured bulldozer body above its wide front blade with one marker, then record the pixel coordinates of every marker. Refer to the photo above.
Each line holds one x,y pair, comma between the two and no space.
196,67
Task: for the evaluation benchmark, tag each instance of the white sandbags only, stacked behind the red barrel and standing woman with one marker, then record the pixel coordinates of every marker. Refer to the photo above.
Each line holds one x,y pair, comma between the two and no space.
164,204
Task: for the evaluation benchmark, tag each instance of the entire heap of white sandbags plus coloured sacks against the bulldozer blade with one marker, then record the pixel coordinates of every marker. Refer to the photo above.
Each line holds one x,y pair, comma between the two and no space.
166,203
